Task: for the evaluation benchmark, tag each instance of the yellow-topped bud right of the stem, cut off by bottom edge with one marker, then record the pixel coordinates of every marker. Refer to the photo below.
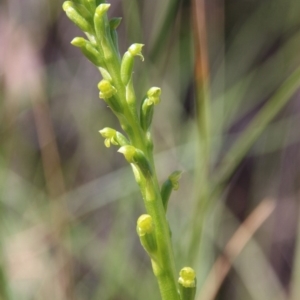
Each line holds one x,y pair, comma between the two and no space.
187,283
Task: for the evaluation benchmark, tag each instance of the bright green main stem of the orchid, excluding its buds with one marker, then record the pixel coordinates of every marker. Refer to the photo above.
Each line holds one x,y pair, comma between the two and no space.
165,270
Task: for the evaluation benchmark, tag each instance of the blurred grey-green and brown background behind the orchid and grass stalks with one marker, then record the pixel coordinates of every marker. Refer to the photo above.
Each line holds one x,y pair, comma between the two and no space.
68,205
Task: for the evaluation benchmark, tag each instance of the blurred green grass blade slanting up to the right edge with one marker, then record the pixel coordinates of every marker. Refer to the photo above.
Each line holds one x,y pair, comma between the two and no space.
238,151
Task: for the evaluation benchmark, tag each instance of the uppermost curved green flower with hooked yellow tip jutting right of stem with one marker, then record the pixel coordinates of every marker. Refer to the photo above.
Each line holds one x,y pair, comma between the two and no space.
127,61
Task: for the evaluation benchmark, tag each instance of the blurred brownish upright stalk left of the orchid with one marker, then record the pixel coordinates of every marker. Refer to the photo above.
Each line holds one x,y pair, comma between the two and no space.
55,187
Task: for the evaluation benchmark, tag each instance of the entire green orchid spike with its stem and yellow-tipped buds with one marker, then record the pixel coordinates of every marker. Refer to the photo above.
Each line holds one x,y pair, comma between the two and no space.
116,88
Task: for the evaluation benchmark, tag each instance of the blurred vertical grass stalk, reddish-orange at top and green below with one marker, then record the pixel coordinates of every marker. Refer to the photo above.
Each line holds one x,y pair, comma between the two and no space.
204,127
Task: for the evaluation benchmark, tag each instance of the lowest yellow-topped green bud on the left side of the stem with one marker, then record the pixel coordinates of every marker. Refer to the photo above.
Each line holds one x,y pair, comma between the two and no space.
145,230
